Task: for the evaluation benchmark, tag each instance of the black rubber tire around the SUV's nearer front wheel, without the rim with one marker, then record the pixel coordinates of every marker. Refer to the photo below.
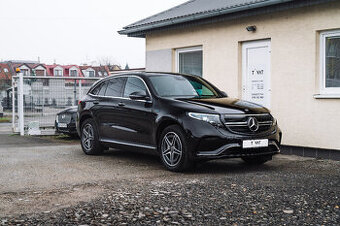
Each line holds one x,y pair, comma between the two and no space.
186,160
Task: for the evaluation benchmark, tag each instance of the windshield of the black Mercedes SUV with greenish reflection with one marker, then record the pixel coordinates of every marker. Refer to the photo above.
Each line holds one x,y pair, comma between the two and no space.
182,86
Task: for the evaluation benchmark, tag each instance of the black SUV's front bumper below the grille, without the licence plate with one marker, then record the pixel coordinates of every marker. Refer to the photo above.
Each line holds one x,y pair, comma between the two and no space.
211,142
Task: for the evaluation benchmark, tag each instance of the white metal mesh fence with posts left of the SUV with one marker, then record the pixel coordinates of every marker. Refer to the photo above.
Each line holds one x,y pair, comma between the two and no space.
37,99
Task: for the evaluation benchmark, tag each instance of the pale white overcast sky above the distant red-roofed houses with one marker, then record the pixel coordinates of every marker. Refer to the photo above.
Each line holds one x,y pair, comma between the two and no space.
74,31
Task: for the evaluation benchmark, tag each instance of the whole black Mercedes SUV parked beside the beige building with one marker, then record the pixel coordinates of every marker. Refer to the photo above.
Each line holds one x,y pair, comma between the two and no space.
184,118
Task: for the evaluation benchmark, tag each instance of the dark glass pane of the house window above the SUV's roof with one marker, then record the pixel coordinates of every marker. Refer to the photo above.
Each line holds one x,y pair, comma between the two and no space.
191,63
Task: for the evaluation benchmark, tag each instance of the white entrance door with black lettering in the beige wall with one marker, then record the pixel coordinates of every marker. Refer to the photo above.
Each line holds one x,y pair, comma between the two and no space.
256,72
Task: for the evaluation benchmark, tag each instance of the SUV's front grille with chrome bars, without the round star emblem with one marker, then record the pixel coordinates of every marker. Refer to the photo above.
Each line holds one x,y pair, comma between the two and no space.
238,123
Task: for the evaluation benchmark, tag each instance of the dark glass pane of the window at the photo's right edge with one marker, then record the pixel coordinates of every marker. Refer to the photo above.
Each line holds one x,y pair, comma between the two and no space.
333,61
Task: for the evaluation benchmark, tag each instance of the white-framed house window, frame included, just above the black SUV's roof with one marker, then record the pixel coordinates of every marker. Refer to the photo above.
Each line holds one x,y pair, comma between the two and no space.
189,61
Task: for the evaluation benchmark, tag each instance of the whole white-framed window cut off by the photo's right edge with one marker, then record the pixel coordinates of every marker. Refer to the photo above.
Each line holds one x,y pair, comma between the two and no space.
330,62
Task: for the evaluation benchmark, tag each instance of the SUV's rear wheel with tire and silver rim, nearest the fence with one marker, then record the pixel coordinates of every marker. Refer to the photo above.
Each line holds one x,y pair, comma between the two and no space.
89,138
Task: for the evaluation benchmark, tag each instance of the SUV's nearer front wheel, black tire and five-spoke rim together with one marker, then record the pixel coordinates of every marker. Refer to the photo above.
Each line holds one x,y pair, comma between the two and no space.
174,149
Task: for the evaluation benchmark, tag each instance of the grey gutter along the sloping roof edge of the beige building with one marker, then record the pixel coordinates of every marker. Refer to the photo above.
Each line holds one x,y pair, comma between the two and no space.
170,22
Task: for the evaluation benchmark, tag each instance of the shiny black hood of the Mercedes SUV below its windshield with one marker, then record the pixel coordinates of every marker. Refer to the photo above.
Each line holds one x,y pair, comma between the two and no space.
227,105
